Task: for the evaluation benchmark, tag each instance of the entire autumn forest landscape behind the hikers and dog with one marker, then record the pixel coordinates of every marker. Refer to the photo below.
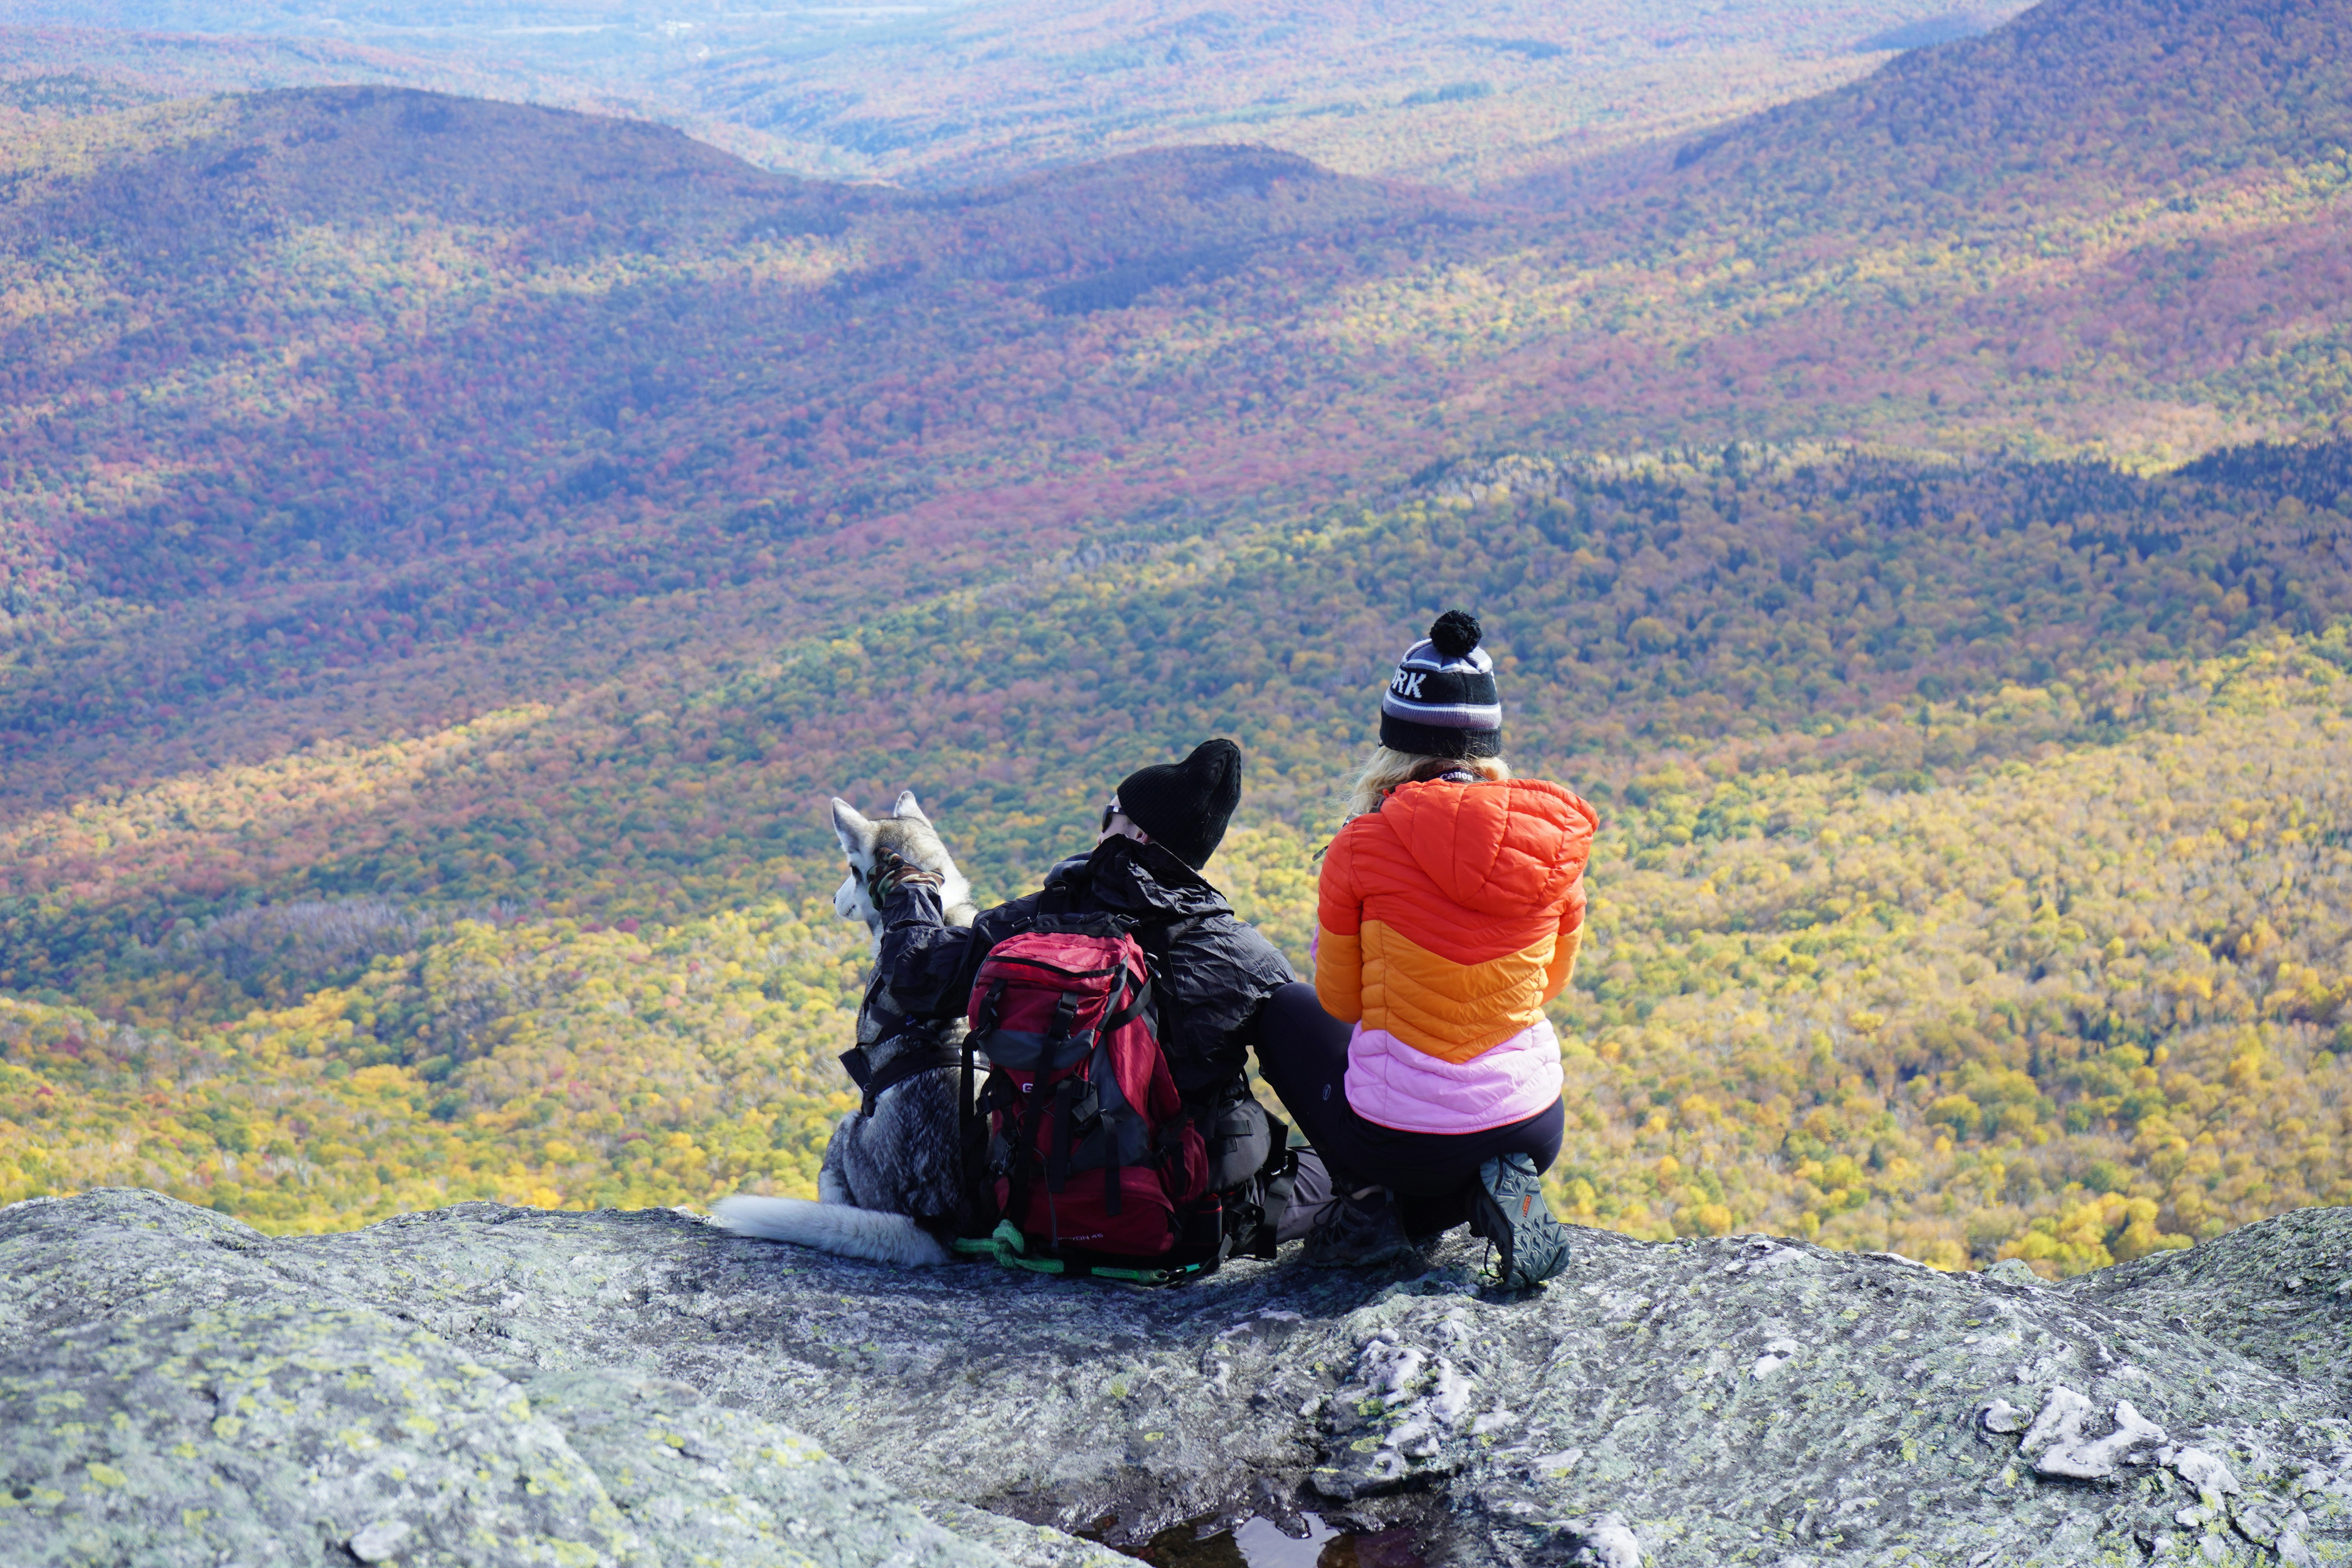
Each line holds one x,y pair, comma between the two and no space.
455,544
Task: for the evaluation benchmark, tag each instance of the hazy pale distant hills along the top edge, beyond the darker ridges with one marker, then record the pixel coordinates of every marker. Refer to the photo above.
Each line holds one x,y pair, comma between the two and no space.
954,95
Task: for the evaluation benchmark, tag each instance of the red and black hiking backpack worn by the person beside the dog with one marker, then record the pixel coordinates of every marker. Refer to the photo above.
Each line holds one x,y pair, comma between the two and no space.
1090,1165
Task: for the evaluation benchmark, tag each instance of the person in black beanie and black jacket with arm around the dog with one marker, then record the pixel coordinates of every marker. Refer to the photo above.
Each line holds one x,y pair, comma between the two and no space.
1210,970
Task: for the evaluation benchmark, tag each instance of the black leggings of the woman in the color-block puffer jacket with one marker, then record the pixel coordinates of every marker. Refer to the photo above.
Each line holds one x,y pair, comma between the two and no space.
1304,1054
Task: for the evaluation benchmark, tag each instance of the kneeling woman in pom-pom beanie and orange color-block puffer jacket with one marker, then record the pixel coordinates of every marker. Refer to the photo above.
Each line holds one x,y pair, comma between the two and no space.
1450,911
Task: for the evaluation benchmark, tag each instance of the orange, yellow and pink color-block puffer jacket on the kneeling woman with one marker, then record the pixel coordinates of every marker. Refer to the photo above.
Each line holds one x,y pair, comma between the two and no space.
1448,920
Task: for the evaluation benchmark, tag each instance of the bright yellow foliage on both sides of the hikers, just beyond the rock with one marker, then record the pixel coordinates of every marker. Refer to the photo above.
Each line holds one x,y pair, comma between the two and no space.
2026,1026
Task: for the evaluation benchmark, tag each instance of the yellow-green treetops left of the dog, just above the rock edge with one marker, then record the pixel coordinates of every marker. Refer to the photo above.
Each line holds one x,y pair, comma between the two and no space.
721,1080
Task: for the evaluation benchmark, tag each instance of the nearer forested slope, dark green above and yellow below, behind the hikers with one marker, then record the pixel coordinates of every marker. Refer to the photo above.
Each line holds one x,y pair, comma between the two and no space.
2045,965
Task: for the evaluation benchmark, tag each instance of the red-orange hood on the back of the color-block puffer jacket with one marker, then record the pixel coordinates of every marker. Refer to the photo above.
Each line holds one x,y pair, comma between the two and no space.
1490,845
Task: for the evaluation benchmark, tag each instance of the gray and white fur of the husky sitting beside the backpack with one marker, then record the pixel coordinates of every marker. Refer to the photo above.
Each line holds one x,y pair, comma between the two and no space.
886,1174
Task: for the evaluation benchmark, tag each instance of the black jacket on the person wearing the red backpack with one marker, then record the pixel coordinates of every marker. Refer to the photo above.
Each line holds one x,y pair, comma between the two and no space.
1210,972
